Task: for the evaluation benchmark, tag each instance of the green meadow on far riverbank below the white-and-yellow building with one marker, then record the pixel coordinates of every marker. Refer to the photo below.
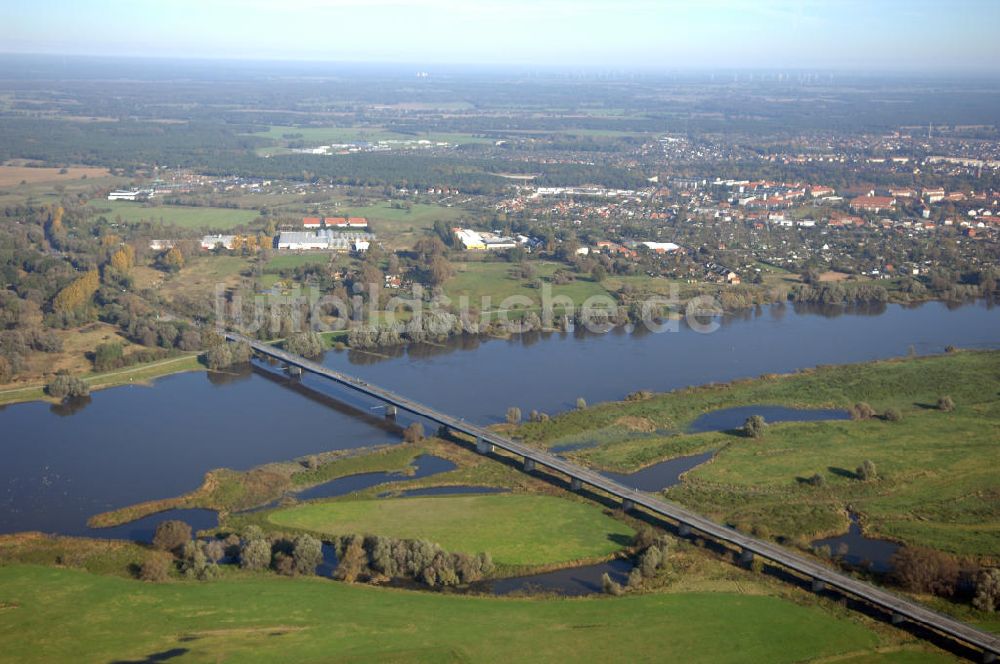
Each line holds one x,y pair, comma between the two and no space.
477,280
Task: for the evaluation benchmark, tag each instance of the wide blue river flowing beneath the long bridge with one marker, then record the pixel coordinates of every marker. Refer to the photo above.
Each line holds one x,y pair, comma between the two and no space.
131,444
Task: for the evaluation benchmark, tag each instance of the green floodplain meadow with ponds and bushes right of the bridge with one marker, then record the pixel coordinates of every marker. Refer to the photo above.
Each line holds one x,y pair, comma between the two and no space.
936,486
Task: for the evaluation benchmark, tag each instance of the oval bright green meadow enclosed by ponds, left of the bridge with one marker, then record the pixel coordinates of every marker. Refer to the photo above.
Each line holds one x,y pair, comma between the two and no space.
515,529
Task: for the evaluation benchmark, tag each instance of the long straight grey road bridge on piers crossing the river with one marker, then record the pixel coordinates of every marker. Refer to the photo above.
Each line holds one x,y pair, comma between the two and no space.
898,608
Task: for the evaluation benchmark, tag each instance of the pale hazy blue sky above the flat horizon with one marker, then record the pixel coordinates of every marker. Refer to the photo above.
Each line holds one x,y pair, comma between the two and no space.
670,34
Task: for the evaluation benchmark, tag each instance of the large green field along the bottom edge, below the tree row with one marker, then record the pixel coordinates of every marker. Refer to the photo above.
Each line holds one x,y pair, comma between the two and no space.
310,620
